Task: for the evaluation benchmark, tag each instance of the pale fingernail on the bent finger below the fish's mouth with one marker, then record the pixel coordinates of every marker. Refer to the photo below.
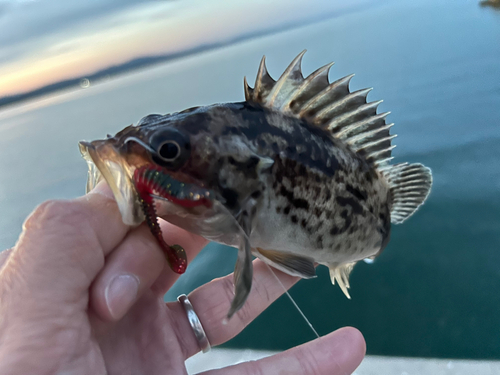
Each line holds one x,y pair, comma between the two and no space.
121,293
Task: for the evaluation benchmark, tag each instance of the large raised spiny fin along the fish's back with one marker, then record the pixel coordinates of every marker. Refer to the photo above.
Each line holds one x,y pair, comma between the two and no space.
327,105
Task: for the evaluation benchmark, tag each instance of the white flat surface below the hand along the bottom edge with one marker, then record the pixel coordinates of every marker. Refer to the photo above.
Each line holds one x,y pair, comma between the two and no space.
372,365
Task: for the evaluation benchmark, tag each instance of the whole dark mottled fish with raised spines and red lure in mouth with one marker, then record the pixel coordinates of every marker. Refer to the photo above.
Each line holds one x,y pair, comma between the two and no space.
299,174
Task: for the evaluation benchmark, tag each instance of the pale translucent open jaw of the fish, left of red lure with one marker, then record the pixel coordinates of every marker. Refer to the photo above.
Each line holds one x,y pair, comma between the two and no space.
104,161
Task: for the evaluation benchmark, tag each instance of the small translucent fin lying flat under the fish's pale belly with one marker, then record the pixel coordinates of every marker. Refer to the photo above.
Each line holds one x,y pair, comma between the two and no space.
291,264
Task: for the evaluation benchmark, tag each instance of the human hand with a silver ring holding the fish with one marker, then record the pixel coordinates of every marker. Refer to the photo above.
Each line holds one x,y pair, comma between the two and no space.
81,293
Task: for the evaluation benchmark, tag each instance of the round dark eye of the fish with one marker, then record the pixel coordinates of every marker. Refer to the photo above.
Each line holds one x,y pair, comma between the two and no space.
171,147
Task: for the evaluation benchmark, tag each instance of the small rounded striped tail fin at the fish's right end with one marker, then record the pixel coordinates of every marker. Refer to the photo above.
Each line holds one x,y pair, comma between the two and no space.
410,186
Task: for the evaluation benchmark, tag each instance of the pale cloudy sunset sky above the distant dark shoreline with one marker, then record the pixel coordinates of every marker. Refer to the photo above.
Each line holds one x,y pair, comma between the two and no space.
46,41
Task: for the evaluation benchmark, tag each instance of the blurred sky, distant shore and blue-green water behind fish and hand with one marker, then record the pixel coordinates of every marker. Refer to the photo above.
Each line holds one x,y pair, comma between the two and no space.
73,71
